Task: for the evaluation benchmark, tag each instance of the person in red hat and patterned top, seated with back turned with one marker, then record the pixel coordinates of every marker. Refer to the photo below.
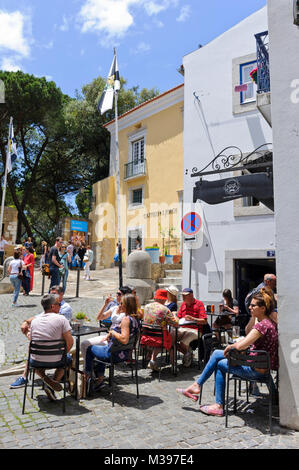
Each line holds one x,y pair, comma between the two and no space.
157,315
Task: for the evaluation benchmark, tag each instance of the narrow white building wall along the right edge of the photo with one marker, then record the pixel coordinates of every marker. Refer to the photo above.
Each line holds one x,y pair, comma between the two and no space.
284,74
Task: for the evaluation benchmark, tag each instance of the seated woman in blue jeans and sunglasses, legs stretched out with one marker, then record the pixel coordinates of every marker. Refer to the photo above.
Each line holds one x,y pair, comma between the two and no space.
264,336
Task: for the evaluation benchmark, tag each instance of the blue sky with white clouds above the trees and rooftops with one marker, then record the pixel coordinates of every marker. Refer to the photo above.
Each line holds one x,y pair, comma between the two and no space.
72,41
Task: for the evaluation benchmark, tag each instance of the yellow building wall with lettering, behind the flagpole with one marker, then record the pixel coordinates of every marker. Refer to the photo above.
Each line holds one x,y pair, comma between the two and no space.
162,180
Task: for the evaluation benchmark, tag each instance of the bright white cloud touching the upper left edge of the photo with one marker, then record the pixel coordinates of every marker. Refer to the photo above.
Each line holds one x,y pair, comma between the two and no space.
14,32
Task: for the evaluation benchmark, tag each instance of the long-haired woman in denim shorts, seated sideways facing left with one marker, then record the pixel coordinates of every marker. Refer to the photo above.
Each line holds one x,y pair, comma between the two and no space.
120,335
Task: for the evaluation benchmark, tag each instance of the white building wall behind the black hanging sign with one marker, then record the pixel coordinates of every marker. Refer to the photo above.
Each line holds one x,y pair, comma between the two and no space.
209,127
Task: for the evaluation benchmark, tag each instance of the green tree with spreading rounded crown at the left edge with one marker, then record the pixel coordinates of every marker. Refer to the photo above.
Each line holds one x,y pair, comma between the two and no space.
37,108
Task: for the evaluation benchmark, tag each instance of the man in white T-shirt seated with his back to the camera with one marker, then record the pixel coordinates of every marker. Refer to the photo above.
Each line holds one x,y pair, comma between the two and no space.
56,328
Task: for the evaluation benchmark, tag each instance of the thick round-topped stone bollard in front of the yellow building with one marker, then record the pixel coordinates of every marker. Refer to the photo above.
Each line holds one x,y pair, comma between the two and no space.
139,275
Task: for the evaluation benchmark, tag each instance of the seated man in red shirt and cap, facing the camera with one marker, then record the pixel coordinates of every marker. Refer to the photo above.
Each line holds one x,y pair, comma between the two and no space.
191,311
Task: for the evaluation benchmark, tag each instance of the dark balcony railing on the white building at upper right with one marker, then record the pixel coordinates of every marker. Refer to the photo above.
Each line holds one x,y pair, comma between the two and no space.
263,66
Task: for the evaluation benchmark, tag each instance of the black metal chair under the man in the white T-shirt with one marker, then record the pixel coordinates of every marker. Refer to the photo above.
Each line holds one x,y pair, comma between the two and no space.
46,348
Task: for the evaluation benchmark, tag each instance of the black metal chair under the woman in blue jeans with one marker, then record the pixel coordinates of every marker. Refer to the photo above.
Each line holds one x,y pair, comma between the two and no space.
256,360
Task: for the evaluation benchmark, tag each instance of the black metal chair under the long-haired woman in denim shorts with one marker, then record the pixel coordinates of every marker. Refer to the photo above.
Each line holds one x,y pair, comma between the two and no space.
131,346
